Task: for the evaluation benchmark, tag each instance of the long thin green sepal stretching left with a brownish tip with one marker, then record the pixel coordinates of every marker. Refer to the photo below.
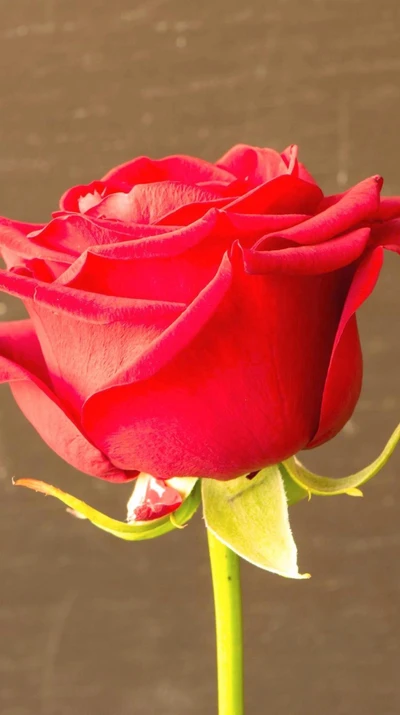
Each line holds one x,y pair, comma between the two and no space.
128,532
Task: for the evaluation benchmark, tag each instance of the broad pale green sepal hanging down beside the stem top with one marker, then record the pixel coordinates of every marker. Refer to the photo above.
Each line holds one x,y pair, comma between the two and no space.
251,518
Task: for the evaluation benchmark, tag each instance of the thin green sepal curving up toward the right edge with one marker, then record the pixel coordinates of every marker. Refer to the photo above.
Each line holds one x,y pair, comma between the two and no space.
326,486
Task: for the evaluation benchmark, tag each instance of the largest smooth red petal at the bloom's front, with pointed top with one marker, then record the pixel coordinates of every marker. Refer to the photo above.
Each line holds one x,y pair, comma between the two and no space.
235,384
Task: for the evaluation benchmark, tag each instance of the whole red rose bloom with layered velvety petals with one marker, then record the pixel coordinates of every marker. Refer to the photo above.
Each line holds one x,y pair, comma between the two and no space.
189,318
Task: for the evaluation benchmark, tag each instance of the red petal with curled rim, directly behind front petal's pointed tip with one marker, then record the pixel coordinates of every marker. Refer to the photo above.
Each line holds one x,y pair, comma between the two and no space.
175,268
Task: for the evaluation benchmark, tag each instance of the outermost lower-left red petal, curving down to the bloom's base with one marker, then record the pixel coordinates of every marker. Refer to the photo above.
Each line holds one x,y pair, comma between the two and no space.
22,364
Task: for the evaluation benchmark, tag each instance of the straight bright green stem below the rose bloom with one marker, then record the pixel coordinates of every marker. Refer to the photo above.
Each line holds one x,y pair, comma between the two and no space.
225,570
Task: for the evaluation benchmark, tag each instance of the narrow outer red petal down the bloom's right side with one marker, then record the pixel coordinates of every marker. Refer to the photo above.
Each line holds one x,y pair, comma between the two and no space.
344,376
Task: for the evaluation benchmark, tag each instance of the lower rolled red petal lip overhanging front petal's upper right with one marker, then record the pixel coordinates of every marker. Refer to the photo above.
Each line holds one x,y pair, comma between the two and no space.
311,260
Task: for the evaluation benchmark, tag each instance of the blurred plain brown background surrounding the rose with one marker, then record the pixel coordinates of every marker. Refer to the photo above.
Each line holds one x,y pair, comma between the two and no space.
91,625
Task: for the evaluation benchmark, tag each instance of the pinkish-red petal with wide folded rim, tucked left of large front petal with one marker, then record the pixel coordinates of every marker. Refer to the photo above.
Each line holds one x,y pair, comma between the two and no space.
86,337
